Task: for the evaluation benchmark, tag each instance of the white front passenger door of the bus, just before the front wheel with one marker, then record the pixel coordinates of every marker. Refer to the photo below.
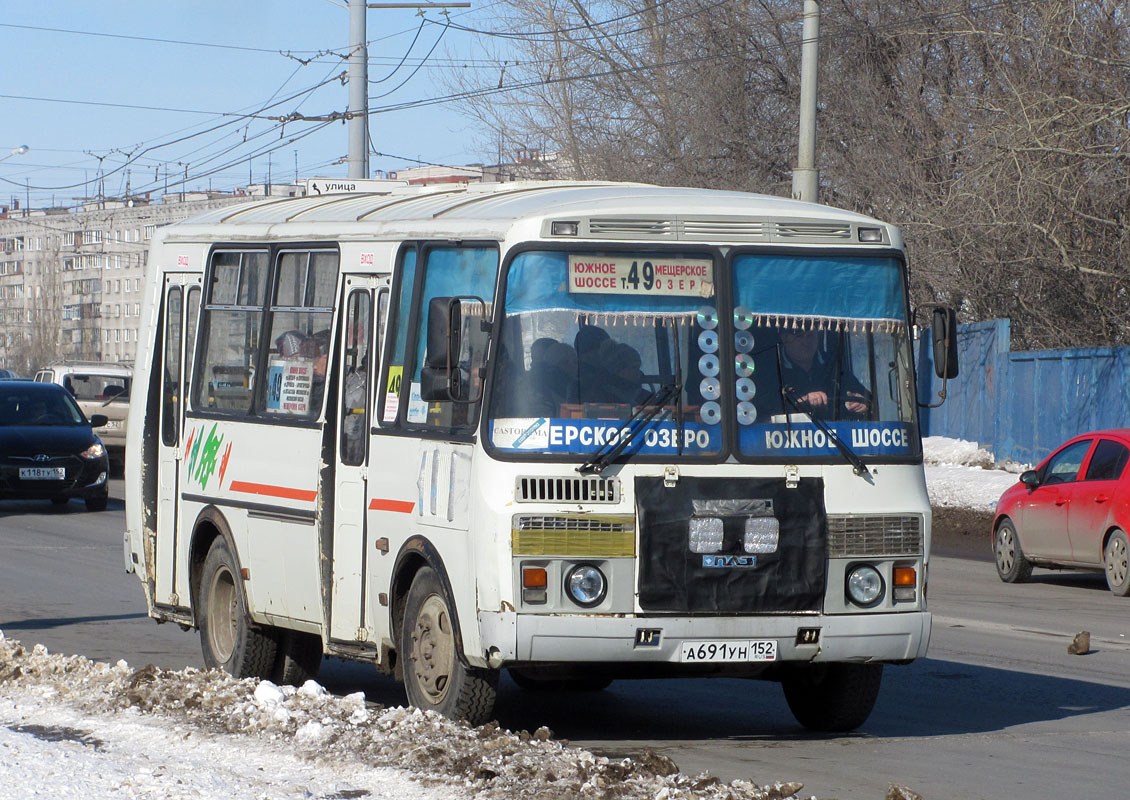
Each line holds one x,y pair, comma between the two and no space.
360,343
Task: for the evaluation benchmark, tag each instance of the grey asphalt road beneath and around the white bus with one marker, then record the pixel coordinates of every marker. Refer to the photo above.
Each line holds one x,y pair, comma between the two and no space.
998,710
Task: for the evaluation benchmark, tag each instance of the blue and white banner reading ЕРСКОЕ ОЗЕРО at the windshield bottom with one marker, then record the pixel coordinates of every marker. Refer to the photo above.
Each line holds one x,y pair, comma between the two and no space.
552,436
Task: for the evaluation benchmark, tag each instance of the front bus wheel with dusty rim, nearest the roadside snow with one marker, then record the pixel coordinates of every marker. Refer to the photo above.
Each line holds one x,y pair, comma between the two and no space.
436,679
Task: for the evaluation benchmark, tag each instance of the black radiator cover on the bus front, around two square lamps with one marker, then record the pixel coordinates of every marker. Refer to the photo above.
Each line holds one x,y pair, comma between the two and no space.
674,579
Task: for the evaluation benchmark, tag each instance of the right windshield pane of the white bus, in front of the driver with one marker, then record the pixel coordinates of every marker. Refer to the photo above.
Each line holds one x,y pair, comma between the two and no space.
827,338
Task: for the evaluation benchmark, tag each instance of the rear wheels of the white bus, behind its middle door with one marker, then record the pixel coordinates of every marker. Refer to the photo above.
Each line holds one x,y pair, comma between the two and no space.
229,639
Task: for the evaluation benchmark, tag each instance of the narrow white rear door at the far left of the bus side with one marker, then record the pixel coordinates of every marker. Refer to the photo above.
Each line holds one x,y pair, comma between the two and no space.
180,309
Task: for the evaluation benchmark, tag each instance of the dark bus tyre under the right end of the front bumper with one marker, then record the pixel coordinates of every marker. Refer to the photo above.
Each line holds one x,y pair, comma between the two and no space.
832,698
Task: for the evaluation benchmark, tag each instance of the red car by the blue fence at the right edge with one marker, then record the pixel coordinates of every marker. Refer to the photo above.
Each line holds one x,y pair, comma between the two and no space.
1073,511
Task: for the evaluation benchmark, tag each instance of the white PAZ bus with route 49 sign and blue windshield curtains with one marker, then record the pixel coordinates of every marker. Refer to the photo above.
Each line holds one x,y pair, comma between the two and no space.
578,431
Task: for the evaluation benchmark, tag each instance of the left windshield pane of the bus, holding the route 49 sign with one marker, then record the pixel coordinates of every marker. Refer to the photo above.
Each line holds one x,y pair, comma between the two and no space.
589,338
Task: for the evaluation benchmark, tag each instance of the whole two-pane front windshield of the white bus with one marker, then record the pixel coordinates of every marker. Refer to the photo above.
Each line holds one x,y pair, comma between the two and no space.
588,340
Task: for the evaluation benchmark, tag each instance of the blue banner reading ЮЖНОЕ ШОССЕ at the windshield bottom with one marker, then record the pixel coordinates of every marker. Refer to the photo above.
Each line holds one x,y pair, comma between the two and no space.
805,439
